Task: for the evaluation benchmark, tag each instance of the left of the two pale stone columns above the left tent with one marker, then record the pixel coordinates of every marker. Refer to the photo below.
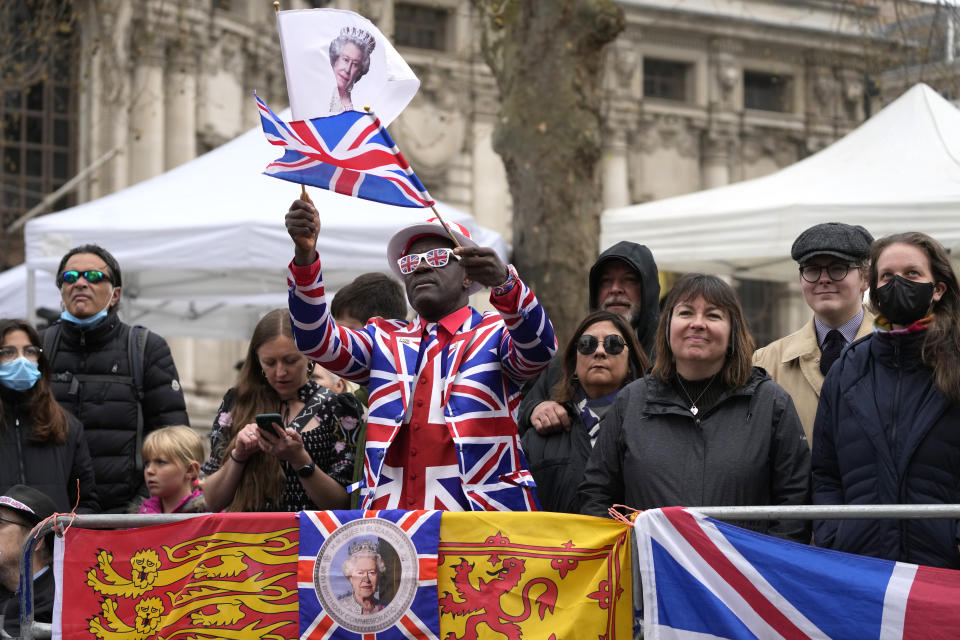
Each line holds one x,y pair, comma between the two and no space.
146,143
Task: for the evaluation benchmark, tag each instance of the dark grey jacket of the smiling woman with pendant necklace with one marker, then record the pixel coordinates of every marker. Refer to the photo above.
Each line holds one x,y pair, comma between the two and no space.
747,449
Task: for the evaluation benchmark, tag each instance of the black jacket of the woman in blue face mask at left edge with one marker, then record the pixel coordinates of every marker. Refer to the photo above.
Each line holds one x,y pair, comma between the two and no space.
53,469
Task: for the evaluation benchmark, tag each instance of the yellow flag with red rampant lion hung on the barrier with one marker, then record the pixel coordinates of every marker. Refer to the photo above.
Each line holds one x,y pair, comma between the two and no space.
533,575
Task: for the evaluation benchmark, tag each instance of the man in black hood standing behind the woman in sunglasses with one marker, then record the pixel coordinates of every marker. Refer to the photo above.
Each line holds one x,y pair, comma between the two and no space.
624,280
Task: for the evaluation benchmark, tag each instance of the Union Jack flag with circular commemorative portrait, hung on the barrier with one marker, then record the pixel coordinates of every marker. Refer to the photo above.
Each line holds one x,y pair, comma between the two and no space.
407,542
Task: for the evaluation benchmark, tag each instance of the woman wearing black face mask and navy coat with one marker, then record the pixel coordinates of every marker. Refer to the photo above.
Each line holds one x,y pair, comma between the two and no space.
888,424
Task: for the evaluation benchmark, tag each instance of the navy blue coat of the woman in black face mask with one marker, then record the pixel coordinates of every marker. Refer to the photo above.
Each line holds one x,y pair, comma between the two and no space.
885,434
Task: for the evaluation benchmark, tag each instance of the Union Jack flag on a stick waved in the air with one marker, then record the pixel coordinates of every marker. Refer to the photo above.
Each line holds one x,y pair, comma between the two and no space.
350,153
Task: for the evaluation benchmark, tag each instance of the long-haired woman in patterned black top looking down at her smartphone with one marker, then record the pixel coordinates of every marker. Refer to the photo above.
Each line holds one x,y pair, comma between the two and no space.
277,443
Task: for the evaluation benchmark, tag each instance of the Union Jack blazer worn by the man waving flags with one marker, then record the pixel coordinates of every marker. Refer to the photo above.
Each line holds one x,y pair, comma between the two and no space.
476,378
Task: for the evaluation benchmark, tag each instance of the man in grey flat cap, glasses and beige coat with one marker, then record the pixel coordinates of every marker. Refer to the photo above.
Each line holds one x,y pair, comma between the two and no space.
833,259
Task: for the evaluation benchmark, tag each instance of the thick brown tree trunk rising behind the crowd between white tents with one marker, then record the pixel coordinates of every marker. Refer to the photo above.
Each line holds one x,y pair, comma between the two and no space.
547,59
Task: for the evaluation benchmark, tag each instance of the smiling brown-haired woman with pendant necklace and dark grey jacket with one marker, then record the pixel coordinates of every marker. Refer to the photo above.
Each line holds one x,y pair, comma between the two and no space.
705,427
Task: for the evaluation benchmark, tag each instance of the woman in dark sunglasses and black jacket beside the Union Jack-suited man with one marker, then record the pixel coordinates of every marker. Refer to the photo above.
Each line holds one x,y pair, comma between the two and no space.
602,356
